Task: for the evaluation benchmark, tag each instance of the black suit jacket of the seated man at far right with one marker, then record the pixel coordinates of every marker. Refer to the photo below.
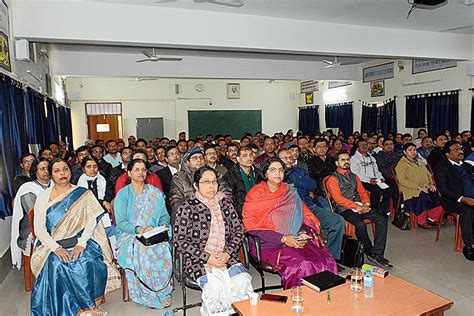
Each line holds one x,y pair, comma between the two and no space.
450,184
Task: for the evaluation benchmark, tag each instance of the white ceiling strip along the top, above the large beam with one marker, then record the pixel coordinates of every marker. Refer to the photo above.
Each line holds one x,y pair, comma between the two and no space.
454,17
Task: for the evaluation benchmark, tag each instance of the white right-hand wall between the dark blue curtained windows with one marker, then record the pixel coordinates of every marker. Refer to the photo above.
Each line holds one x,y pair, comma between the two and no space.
451,79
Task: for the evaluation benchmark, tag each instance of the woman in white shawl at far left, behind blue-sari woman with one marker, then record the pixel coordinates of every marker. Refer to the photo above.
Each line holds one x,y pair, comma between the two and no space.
25,199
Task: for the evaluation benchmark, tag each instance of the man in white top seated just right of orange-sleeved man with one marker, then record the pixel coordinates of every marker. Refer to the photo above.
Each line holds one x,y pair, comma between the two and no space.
365,167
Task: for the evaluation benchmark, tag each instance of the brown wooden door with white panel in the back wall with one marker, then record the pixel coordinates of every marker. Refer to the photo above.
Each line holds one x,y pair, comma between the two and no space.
106,126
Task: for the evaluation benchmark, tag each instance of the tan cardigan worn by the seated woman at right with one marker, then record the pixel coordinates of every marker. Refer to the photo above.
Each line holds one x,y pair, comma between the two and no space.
411,176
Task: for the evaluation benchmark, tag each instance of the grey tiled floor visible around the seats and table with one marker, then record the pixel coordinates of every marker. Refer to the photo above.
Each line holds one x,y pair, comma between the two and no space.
416,256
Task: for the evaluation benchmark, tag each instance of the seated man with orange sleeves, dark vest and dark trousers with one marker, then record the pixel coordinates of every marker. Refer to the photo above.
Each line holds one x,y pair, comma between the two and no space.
353,203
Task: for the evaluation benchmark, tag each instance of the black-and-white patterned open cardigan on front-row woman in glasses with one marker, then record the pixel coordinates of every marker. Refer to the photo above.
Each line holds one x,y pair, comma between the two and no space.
191,232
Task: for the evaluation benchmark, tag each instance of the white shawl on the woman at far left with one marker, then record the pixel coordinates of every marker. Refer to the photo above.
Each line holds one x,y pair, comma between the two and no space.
35,188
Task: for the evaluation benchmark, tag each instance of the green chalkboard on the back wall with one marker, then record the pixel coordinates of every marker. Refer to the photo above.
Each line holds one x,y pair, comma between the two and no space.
233,122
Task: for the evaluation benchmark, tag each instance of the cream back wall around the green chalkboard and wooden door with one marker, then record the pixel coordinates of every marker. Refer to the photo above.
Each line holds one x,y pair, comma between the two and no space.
156,98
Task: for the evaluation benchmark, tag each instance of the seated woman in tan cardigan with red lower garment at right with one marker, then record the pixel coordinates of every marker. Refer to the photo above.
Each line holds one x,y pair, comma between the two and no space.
419,192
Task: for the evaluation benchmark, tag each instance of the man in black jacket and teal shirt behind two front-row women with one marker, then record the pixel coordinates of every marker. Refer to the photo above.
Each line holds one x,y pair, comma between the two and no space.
241,177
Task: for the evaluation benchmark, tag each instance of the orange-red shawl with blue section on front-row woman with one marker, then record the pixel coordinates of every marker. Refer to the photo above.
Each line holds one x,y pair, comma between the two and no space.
281,211
